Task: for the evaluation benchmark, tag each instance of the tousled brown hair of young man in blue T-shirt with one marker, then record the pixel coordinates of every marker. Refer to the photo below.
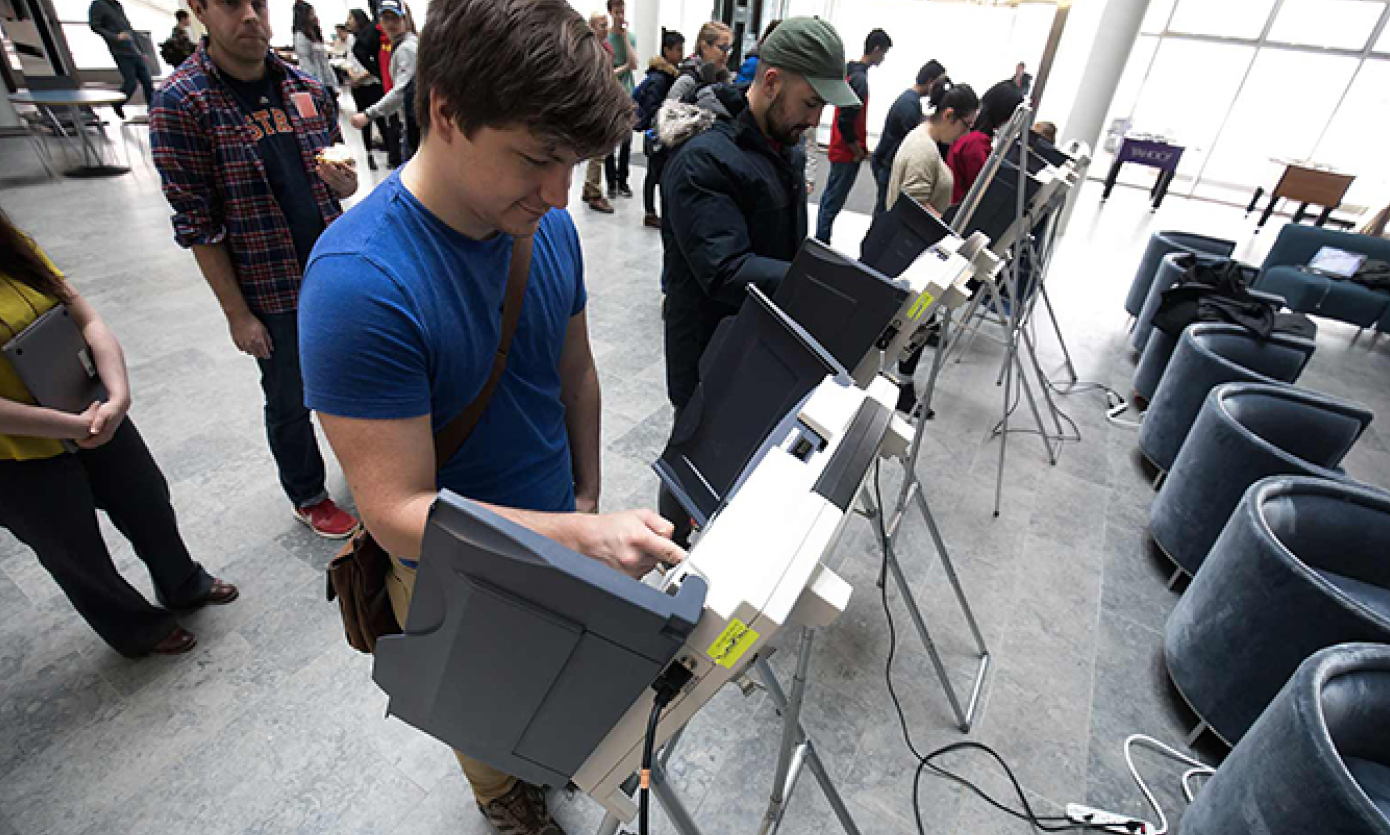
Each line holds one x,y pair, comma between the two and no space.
522,63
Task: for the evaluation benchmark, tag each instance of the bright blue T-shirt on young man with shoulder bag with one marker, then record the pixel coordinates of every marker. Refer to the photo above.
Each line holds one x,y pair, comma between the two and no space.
401,316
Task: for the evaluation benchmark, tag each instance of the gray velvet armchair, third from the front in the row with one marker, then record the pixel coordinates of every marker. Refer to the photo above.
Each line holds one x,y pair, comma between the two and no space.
1243,434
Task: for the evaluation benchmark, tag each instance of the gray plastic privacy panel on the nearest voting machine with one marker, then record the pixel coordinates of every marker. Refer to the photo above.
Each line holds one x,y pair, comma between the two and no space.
584,643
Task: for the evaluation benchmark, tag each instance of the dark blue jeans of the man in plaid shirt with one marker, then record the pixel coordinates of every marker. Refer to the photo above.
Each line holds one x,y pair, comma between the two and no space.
288,427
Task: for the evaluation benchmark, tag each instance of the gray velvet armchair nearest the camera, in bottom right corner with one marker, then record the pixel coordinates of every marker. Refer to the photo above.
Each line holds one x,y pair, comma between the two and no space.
1317,762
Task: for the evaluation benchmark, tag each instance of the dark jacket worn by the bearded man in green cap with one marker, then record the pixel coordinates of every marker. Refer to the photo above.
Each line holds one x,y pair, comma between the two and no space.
736,215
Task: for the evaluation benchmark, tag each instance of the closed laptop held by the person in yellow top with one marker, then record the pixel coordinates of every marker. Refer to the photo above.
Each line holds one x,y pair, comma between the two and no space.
56,363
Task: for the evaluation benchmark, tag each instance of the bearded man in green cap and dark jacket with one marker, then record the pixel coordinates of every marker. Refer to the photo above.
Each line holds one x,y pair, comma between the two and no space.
736,195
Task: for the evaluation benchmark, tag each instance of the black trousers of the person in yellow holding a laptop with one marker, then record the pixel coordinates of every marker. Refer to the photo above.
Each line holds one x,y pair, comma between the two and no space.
51,506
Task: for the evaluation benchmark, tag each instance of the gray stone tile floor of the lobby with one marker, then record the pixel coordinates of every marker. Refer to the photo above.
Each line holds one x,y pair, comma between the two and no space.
273,725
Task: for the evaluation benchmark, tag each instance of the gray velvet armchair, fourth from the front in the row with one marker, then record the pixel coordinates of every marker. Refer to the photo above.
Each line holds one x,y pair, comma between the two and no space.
1207,356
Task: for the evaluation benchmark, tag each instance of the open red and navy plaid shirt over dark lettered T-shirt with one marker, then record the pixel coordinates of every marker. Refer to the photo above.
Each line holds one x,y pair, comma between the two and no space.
216,183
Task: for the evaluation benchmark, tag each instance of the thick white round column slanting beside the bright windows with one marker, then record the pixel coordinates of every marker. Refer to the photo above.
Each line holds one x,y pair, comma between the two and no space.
1115,38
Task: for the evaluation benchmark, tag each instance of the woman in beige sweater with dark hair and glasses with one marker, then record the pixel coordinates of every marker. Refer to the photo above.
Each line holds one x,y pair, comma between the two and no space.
921,169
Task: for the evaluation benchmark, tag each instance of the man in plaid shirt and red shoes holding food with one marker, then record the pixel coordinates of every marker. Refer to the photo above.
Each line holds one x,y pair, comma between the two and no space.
237,137
